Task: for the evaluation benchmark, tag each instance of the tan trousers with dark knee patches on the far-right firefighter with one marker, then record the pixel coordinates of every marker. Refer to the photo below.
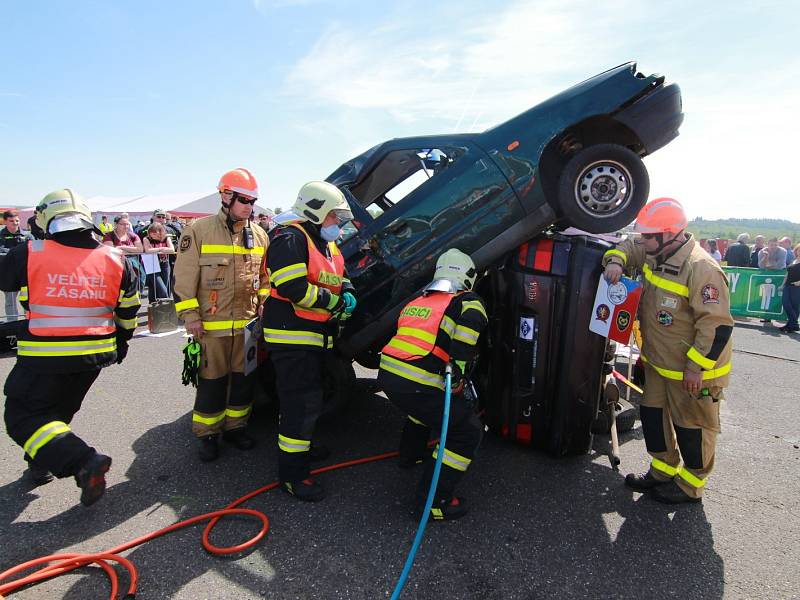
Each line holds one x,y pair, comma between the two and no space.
680,427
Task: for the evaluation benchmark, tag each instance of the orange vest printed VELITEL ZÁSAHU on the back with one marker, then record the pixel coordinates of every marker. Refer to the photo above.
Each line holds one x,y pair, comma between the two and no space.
72,291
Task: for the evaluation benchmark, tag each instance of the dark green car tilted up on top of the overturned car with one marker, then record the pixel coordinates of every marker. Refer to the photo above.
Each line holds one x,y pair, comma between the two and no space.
573,160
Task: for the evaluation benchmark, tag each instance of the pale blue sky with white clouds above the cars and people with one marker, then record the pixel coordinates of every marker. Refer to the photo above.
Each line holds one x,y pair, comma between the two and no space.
122,98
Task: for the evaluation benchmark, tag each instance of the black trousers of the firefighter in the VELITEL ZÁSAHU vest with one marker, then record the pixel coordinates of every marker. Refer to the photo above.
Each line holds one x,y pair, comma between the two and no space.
39,409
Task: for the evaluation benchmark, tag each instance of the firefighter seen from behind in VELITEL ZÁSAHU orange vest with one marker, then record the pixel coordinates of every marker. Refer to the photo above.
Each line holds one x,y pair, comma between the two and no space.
81,302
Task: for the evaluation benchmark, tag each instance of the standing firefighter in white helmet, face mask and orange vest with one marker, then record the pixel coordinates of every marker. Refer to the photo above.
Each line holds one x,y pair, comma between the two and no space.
309,294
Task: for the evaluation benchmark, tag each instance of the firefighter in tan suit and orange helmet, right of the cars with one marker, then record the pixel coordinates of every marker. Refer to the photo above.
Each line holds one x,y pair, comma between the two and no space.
686,327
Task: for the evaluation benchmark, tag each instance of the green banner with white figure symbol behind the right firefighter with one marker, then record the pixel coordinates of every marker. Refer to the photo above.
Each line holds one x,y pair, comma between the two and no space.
756,292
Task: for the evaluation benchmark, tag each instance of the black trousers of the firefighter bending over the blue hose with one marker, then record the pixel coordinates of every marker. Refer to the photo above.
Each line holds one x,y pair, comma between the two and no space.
425,408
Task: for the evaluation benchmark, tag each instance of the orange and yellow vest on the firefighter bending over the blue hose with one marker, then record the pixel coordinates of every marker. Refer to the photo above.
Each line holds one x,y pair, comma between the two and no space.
418,327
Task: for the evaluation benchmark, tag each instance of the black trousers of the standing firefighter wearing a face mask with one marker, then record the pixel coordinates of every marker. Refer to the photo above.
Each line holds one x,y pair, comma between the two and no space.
299,383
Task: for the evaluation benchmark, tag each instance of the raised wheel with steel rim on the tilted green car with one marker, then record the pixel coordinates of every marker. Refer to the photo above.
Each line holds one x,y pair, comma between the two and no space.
602,188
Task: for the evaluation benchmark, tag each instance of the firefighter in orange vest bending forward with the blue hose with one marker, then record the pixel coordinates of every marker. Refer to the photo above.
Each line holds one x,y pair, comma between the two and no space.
440,326
